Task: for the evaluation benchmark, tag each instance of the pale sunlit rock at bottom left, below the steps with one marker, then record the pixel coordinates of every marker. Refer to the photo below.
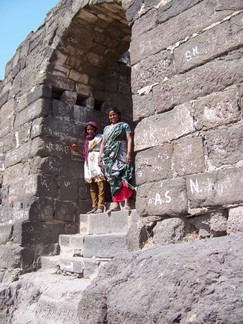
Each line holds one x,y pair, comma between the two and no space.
35,289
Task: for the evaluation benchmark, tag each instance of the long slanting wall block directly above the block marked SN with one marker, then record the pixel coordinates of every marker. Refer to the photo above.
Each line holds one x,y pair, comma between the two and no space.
176,29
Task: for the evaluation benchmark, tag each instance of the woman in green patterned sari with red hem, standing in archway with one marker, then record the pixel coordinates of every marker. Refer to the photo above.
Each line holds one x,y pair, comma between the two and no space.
115,156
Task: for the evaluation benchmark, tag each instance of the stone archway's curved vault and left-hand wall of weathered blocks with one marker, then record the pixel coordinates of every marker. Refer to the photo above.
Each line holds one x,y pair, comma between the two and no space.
72,75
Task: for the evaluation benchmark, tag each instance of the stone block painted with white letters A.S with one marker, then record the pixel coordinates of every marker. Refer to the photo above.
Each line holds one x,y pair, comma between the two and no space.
162,198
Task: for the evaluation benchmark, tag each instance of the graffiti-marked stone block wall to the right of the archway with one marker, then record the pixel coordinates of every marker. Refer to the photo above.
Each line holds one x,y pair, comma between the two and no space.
187,99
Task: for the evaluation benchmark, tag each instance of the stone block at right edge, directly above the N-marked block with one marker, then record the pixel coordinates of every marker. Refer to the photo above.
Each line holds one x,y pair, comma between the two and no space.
225,146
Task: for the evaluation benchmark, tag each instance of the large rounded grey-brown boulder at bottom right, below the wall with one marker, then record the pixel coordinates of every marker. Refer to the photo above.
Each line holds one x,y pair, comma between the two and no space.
189,282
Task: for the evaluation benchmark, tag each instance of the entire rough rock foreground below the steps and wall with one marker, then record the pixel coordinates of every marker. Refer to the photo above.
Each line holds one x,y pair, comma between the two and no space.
193,282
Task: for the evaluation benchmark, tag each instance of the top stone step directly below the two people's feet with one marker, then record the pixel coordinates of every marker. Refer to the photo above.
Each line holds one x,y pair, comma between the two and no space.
105,223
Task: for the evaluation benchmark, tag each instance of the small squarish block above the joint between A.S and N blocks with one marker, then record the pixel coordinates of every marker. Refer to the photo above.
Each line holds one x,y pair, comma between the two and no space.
188,156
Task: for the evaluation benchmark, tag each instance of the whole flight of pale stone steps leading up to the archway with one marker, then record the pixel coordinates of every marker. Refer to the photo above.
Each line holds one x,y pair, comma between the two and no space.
101,237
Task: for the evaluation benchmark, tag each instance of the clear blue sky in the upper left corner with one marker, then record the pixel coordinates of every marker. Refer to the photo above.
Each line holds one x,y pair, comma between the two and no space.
17,19
